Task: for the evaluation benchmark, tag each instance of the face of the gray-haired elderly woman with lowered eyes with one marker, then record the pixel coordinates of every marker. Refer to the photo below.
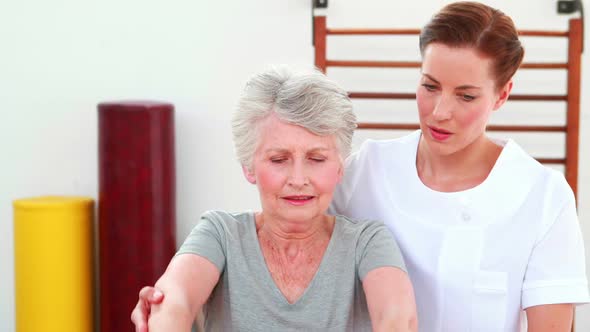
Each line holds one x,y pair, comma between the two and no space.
295,170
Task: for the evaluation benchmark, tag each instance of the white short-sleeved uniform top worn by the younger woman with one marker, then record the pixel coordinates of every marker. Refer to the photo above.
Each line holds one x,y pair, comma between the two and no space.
477,257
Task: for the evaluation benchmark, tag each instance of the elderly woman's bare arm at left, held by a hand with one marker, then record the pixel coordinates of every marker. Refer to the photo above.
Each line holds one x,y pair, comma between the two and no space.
187,283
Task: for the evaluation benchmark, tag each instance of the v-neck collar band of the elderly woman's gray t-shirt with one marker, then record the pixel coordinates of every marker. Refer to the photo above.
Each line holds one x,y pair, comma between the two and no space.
267,277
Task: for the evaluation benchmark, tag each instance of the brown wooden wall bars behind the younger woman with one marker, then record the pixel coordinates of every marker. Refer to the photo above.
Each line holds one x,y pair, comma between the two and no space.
572,98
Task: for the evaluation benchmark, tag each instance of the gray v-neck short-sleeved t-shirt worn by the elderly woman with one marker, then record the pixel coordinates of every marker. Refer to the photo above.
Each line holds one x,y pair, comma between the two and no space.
246,297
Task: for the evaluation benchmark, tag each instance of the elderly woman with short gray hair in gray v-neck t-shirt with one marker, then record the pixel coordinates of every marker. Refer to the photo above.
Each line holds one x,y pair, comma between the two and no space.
291,266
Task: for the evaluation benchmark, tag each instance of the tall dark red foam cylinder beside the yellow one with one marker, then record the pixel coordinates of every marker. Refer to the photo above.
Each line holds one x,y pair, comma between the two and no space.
136,209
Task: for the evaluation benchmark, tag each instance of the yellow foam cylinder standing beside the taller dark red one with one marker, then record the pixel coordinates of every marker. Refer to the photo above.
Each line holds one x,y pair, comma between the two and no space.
53,248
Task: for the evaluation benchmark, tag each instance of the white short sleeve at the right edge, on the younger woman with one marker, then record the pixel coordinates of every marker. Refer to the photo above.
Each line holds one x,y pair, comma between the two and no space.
556,271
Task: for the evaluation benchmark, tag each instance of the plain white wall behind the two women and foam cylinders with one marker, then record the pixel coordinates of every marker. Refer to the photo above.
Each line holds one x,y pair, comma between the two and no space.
58,59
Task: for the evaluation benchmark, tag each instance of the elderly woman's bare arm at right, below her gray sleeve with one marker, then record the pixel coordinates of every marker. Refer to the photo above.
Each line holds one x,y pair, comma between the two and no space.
390,298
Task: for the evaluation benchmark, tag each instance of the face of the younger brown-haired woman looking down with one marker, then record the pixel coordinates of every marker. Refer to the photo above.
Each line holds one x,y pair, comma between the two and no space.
456,96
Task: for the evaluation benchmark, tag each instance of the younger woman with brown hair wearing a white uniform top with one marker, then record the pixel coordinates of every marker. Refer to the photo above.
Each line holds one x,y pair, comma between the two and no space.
487,232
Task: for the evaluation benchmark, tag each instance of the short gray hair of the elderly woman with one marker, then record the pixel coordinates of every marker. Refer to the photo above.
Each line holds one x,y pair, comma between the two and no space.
307,99
